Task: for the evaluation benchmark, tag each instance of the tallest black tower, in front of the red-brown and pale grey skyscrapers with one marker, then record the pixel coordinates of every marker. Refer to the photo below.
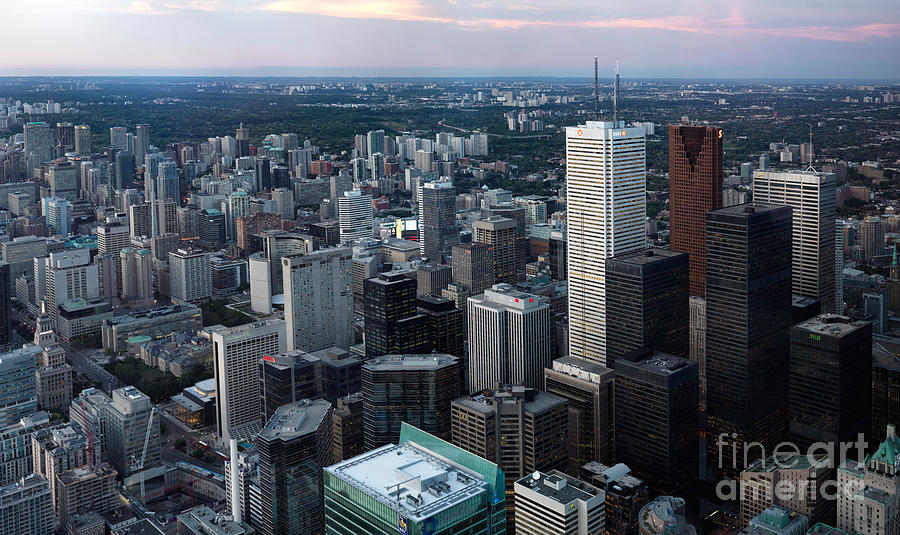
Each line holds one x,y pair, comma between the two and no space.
748,298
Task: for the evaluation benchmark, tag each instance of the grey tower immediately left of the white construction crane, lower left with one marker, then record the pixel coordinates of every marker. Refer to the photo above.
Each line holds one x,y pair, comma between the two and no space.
129,416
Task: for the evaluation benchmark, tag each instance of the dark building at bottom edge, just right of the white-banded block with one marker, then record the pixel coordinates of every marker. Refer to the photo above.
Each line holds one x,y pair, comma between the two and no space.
626,495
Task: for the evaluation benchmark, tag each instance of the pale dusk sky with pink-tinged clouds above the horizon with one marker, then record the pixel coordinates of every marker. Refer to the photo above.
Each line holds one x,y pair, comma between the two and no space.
811,39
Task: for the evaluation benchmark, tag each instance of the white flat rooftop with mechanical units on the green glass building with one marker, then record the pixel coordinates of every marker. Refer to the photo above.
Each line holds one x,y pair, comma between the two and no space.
409,480
